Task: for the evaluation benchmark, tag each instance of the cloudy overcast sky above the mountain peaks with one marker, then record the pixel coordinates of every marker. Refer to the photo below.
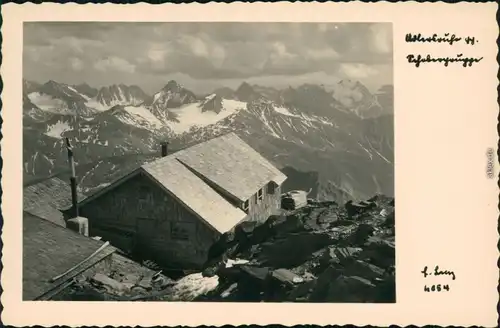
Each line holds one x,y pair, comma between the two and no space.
203,56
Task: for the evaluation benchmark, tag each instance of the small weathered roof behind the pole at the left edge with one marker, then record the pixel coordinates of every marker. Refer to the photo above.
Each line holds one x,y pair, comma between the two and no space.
47,198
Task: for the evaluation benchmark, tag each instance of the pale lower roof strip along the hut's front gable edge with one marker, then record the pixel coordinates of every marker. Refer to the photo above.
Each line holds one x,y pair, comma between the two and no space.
195,193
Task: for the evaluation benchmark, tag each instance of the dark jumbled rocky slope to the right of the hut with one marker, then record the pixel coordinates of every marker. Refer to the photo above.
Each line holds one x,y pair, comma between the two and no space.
323,252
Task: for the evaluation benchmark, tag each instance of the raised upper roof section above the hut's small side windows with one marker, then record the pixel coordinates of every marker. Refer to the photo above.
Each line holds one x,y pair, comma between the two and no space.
231,164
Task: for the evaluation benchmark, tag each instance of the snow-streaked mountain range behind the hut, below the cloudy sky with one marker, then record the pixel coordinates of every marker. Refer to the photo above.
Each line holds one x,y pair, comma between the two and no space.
338,141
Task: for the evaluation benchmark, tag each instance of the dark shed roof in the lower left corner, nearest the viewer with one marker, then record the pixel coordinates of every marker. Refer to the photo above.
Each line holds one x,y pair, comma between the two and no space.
49,250
